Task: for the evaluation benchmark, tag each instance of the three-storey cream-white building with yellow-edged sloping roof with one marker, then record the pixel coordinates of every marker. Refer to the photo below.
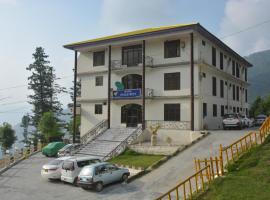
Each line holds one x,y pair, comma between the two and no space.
181,77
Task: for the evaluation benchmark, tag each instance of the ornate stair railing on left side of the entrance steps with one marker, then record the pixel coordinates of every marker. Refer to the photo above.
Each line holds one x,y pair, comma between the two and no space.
95,131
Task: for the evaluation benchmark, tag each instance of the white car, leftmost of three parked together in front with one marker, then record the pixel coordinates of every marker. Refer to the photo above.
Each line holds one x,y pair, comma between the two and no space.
52,170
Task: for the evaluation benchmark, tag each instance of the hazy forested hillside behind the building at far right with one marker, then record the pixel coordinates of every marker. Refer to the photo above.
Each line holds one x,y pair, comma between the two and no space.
258,75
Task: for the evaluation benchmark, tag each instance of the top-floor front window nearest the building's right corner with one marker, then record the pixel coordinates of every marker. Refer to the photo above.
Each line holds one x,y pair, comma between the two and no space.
172,49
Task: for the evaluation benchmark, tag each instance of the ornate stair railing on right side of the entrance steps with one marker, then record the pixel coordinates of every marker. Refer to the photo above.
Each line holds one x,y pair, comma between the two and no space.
122,146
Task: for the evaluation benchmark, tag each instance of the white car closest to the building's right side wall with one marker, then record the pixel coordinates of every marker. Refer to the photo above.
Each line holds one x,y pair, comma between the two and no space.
232,120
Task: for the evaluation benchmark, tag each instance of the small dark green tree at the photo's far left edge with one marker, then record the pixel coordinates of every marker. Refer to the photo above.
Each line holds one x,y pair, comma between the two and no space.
7,136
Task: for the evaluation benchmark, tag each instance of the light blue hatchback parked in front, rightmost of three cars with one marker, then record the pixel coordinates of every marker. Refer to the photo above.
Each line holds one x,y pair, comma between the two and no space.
100,174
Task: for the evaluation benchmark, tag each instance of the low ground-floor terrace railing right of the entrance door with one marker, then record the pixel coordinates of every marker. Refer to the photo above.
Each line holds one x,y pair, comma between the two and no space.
174,125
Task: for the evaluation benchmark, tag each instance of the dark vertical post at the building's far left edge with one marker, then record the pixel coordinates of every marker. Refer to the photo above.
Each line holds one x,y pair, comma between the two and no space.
74,96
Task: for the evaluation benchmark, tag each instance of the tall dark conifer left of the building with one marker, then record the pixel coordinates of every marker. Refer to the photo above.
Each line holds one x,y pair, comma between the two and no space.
45,89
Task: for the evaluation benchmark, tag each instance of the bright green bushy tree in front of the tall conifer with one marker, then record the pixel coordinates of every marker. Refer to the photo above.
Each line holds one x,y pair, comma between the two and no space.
49,127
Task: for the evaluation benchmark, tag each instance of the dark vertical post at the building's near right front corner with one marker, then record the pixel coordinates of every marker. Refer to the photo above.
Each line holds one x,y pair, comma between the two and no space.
192,81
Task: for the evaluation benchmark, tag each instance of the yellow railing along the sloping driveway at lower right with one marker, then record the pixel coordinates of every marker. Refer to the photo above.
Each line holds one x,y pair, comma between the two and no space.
214,166
